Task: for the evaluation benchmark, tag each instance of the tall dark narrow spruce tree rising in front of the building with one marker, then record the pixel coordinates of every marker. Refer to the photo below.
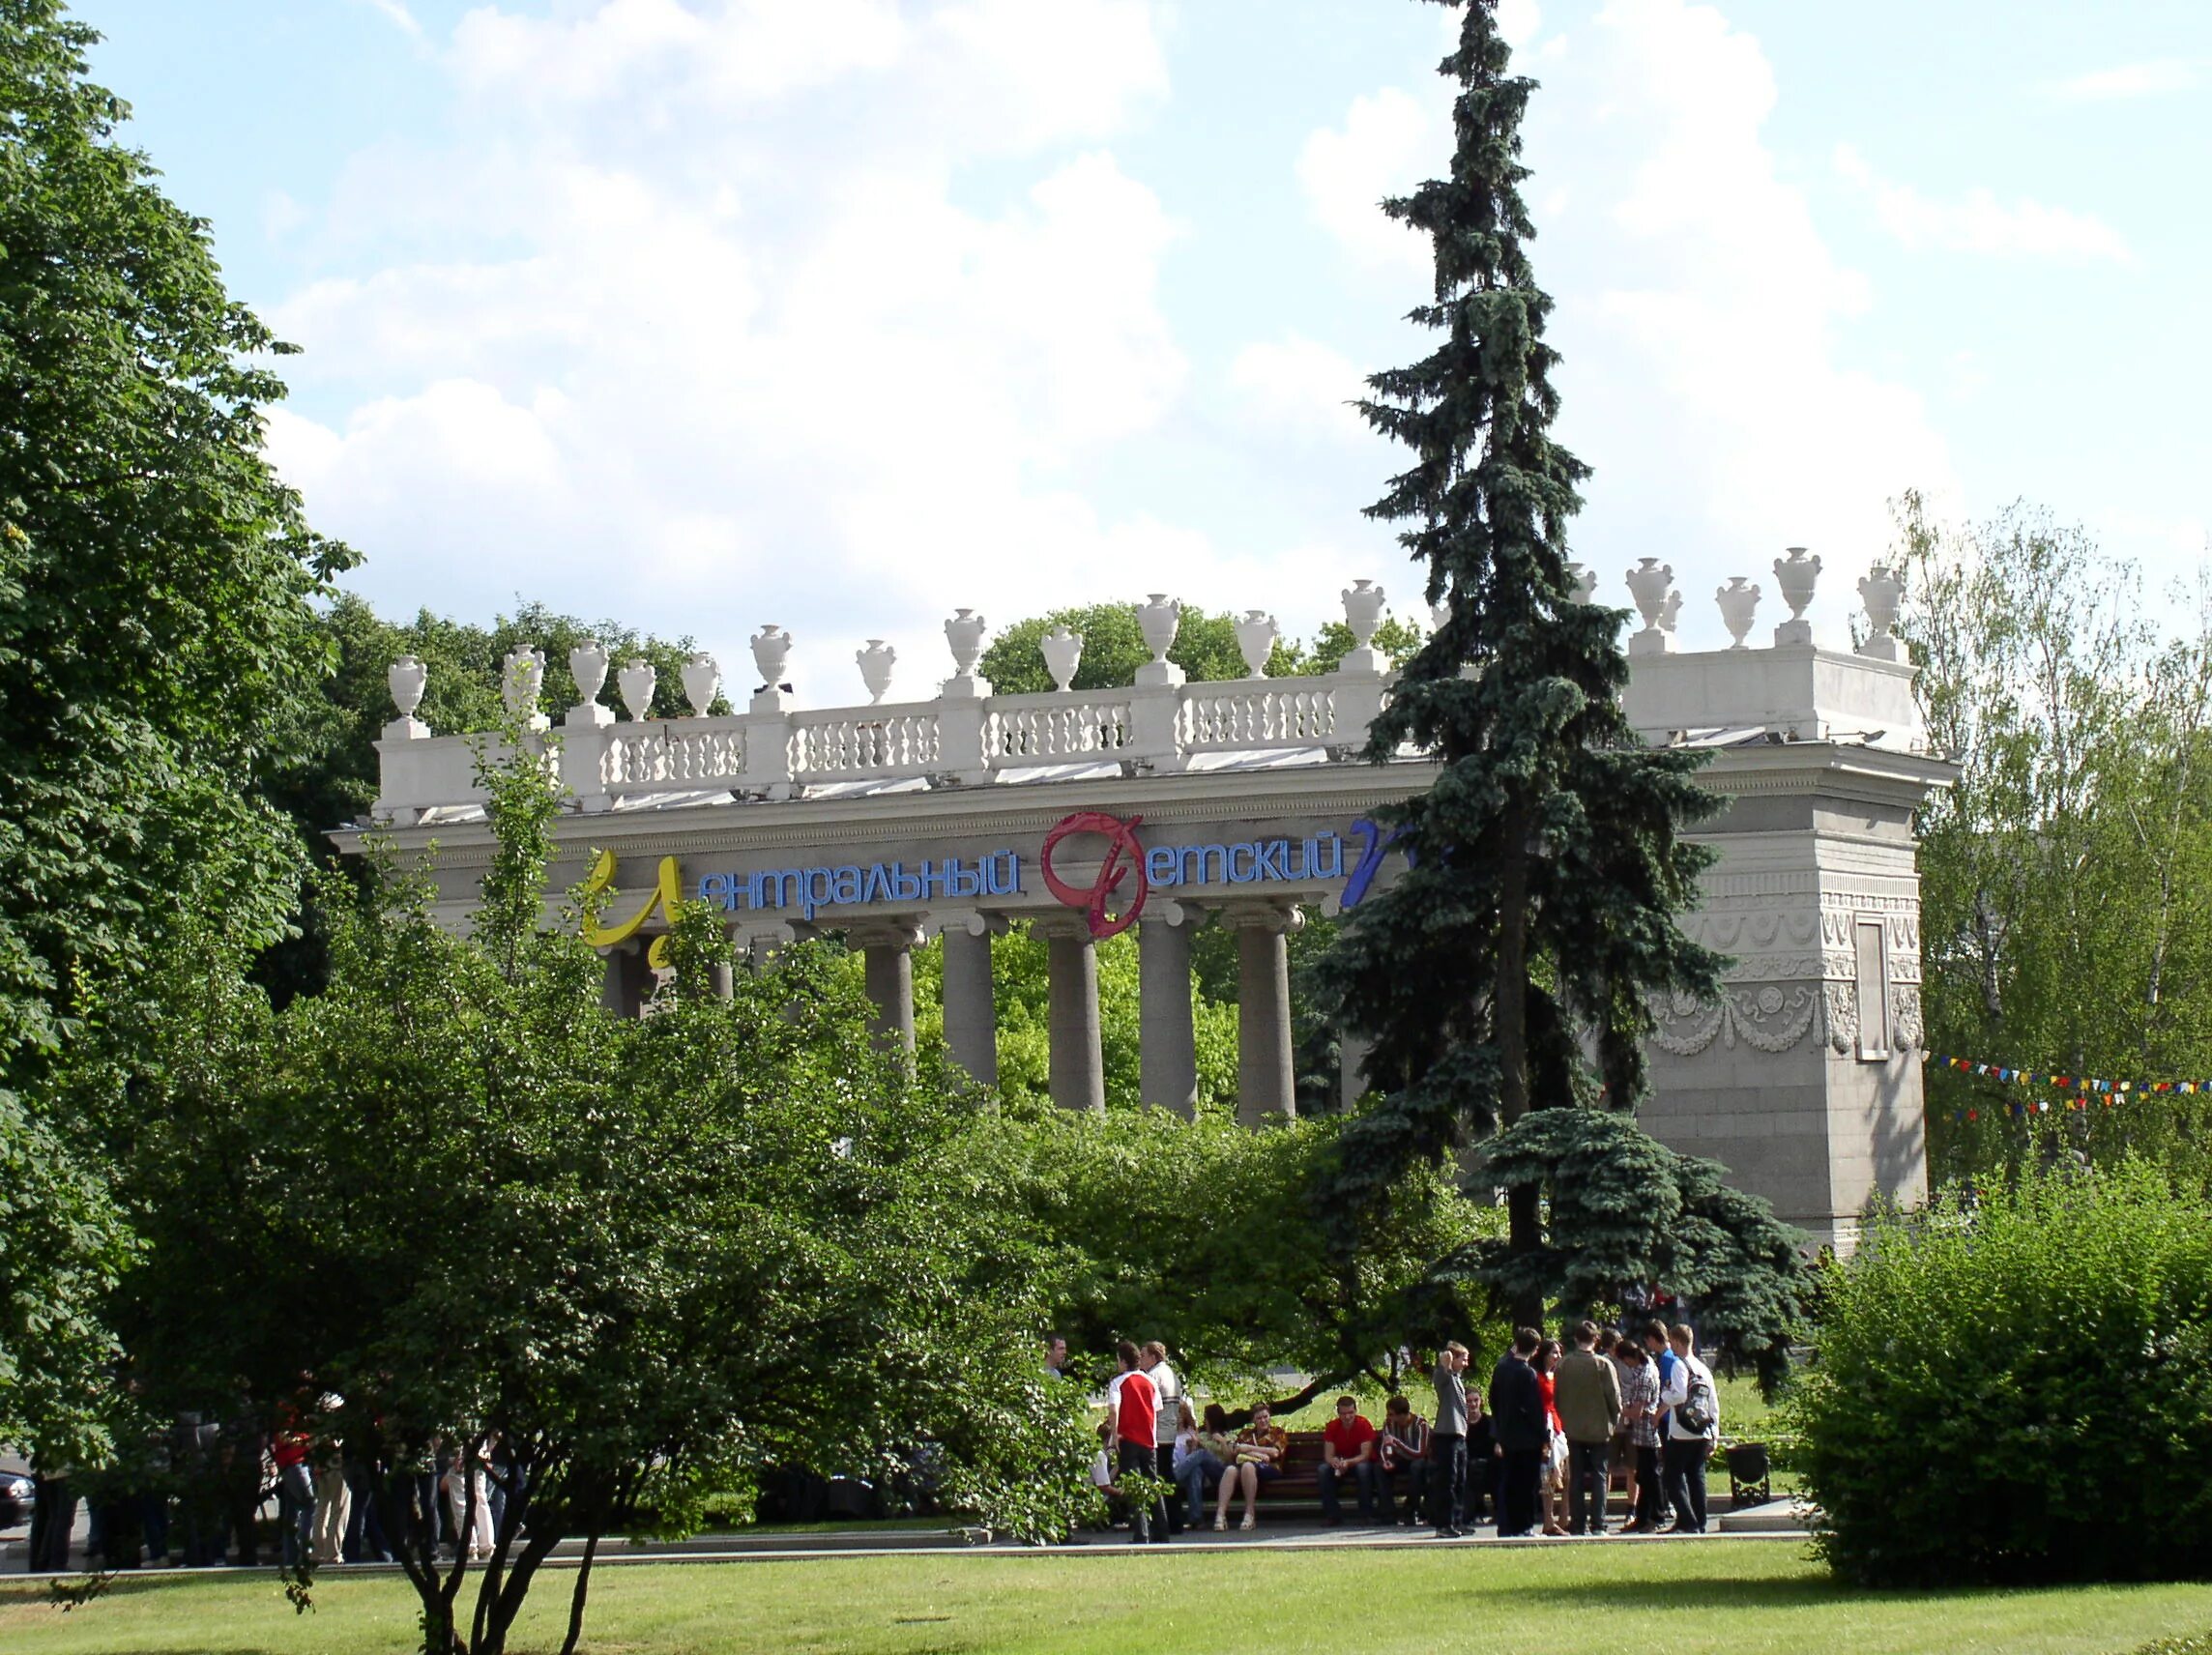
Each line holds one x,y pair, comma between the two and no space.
1545,868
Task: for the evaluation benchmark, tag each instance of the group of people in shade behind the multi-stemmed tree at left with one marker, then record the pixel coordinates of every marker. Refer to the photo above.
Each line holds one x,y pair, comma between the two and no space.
196,1497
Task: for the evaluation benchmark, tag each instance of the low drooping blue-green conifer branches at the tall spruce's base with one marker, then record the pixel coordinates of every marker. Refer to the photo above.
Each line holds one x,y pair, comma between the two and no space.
1625,1209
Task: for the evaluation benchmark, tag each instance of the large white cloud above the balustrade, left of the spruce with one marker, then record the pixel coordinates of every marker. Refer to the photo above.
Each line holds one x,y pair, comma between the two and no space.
689,324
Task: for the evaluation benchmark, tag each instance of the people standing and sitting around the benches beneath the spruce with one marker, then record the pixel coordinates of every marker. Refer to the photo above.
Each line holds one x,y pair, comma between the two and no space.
1538,1450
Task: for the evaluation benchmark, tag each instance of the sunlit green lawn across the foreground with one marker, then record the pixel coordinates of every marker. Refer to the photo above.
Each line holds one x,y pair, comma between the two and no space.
1722,1596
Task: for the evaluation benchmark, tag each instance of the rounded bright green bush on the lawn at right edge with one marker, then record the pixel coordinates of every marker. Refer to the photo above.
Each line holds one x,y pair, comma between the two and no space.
2018,1388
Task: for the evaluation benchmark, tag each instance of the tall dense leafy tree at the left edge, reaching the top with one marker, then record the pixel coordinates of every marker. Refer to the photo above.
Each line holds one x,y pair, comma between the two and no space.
156,607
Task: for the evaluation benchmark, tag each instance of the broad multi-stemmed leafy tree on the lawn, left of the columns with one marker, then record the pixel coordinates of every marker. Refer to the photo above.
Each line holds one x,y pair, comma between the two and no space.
638,1258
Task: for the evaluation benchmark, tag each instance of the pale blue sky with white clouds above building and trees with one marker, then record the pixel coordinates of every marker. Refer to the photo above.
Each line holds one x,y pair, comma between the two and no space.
848,313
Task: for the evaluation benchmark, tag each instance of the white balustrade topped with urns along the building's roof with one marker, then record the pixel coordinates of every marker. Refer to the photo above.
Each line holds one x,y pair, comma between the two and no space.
972,738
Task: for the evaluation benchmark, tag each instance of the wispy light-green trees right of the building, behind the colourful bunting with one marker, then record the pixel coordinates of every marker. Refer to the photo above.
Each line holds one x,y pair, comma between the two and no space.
2067,879
